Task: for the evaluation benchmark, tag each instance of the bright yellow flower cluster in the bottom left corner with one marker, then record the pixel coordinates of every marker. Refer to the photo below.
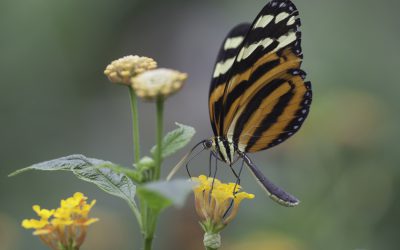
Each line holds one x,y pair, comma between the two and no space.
64,226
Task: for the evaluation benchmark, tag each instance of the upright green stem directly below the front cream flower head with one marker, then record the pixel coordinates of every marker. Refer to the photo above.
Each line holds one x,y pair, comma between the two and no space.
159,134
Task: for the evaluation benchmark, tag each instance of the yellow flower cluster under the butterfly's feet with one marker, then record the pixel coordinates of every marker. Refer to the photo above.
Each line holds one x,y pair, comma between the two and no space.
217,203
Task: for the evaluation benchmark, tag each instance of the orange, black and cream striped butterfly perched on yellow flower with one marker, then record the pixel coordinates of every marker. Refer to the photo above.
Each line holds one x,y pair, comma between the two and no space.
258,95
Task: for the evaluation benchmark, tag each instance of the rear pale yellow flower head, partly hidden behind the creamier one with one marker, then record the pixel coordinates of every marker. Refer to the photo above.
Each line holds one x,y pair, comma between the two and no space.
121,70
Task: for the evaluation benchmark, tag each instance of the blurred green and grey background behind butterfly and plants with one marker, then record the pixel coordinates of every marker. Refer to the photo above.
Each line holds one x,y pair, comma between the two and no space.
343,164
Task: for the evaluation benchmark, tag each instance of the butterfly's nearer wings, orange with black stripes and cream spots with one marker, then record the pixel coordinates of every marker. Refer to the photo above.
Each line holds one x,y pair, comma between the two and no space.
265,98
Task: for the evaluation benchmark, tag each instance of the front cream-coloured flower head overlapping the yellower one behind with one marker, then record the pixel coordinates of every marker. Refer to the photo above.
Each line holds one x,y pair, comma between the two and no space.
158,83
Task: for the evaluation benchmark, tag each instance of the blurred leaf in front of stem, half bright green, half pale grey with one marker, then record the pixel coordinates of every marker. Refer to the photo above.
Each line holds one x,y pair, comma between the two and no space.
162,194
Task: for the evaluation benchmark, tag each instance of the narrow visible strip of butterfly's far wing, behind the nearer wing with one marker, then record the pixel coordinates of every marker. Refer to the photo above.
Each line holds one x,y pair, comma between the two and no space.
228,50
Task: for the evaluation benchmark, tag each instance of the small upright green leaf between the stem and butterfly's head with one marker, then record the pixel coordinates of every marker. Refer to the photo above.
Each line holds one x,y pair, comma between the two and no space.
175,140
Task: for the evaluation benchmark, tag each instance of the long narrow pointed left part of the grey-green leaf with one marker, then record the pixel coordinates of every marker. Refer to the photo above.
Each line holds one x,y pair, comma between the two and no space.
63,163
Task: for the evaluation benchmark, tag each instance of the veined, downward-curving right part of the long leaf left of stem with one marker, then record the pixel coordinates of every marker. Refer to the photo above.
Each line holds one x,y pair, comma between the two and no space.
117,184
